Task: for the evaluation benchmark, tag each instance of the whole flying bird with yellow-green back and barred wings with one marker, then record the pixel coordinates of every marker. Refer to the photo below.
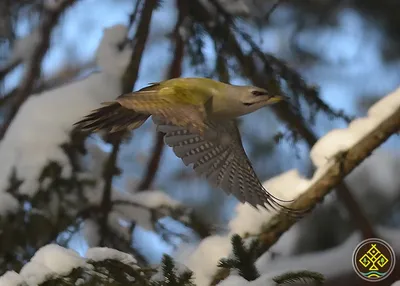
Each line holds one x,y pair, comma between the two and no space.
197,116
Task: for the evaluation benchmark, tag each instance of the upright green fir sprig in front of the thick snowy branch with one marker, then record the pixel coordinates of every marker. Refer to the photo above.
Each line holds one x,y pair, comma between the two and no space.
243,260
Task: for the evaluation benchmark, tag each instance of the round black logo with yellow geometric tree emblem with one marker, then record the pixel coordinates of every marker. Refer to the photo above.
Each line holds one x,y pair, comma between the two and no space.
373,259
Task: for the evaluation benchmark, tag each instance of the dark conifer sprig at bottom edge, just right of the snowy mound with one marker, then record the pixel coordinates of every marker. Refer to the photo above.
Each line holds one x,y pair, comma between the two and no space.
171,276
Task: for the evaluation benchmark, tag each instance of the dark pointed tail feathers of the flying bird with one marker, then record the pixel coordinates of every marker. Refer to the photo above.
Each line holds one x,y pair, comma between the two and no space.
112,117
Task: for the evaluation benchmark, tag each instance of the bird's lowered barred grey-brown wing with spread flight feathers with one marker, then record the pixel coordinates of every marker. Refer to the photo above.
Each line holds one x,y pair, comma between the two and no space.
219,156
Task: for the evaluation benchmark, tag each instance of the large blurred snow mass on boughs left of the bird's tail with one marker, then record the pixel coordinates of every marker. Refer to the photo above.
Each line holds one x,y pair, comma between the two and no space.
28,146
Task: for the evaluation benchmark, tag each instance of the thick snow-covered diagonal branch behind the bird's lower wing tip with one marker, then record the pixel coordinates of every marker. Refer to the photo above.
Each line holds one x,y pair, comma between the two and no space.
335,155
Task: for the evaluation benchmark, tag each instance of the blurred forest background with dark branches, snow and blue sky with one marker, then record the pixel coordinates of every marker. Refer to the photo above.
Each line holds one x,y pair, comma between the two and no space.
61,58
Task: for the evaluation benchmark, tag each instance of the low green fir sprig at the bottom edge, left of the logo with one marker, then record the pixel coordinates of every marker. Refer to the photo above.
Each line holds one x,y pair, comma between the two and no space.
305,277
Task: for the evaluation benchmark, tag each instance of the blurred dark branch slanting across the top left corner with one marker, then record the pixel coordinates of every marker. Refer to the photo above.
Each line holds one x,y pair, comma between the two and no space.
33,67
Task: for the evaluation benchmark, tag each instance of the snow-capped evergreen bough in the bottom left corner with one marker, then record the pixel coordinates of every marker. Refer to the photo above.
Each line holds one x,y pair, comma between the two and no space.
55,265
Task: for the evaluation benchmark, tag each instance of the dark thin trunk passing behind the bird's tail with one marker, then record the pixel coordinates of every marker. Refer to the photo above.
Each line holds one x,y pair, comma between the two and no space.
128,82
